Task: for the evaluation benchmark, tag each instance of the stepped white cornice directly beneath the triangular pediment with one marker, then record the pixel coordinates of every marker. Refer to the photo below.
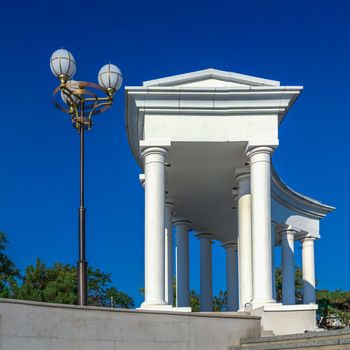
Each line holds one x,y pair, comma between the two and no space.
250,100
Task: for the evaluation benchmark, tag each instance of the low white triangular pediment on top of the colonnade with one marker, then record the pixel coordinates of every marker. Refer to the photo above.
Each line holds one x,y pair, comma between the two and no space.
211,78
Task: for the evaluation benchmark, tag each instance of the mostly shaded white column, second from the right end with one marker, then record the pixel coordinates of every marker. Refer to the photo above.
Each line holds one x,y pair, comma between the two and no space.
288,273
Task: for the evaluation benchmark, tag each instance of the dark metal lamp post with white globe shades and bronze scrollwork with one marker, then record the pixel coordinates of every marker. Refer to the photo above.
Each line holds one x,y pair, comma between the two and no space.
81,101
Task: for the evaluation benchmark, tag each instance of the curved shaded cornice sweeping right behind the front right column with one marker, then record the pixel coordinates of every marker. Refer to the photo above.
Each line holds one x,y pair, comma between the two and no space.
295,200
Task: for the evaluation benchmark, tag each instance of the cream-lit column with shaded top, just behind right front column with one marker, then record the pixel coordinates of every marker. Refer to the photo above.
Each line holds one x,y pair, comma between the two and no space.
244,238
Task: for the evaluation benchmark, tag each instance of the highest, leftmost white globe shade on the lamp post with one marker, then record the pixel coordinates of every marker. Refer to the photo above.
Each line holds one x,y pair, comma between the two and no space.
62,64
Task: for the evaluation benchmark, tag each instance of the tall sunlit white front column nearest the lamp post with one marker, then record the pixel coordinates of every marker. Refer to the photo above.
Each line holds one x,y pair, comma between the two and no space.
153,158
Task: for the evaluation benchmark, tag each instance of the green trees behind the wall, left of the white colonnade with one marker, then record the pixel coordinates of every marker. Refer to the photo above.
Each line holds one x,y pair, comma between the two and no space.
57,284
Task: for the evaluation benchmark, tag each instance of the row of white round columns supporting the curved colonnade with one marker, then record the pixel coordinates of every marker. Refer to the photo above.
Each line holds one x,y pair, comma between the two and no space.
250,275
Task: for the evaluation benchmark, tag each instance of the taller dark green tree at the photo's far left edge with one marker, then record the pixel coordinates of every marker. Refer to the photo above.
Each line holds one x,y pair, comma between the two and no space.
9,274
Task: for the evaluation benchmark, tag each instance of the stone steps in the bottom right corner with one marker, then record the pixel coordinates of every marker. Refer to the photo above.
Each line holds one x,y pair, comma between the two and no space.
325,340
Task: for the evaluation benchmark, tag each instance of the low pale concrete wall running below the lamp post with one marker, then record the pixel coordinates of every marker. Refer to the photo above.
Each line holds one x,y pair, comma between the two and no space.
41,326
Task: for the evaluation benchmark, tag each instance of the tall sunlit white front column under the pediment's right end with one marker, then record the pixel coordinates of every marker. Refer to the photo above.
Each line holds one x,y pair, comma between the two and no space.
260,163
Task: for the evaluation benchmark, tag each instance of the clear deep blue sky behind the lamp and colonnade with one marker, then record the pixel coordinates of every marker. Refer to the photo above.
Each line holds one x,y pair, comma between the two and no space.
297,42
